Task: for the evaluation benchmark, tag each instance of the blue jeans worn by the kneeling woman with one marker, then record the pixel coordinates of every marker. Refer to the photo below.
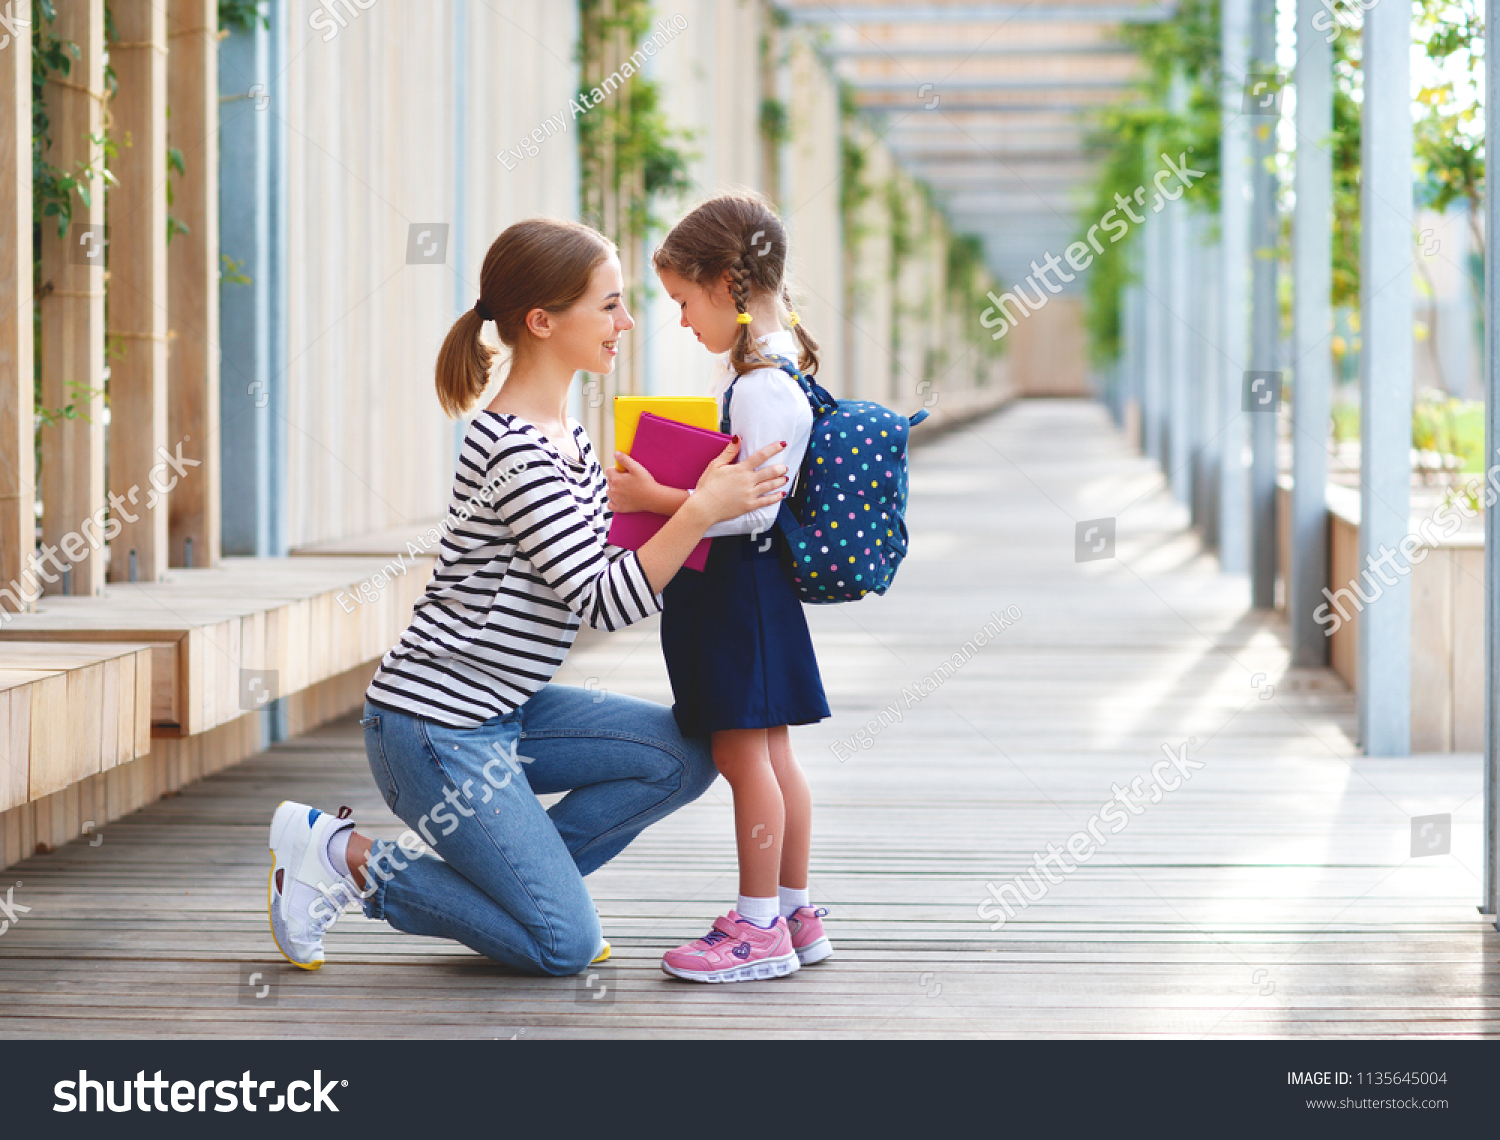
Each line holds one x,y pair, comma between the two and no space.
511,881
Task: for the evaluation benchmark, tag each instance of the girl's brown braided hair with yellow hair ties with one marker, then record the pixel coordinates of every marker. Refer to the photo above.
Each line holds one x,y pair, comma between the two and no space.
739,235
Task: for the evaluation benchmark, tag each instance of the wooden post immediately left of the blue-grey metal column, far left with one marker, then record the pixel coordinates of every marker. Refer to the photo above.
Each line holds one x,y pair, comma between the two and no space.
193,280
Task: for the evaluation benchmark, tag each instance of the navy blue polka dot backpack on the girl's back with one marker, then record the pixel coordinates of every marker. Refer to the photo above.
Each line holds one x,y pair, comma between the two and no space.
847,533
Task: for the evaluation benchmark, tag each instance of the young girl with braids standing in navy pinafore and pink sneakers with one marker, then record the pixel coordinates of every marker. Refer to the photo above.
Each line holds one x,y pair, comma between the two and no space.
736,638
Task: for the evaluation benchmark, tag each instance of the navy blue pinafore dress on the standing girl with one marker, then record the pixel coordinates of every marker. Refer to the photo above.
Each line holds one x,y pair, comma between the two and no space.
736,641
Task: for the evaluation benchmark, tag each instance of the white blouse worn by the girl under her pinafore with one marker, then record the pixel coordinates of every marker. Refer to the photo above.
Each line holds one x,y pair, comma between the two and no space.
766,409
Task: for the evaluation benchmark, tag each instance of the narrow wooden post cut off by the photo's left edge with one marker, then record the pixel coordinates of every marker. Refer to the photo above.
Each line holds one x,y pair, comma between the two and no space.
17,466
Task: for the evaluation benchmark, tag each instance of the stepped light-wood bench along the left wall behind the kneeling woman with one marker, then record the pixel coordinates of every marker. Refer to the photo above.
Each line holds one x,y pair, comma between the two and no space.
109,703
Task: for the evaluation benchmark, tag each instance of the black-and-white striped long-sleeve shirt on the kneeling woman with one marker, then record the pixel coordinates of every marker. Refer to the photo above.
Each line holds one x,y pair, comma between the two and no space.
523,563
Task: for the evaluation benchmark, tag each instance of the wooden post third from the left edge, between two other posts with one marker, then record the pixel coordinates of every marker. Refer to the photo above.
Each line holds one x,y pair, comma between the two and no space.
139,296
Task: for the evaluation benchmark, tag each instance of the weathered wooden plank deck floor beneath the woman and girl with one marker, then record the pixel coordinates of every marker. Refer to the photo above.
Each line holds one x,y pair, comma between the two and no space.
1273,895
